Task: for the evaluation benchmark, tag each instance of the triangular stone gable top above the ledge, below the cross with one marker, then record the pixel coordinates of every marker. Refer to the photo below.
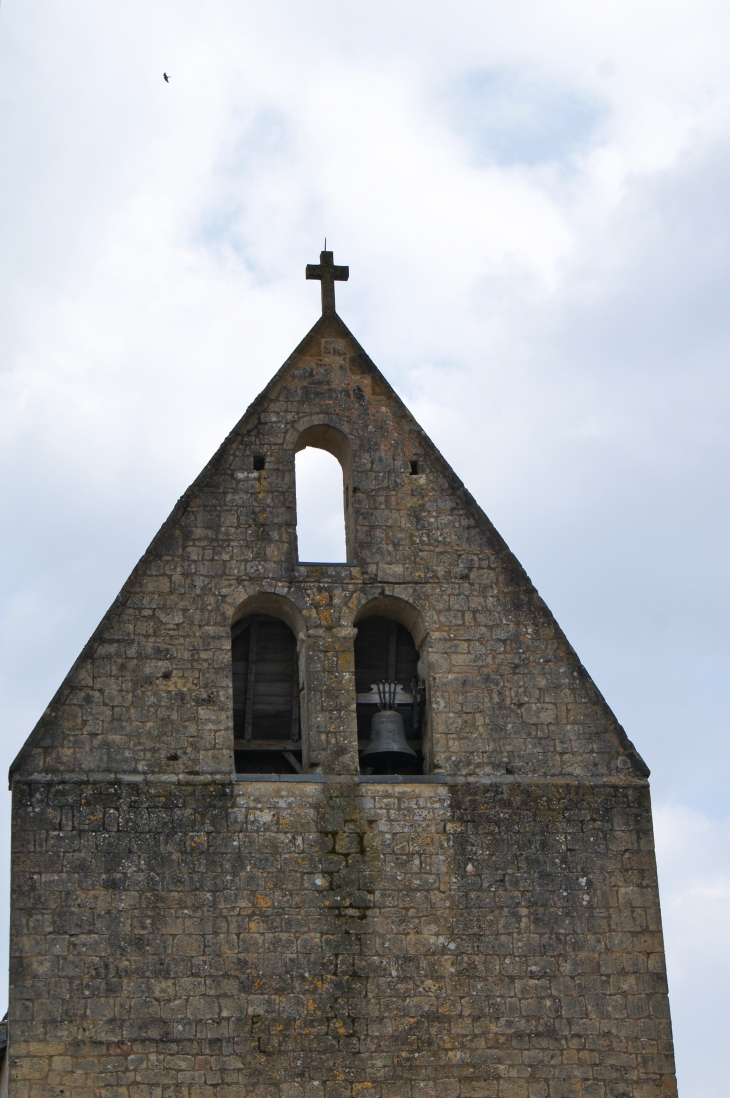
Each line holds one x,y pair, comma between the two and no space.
503,692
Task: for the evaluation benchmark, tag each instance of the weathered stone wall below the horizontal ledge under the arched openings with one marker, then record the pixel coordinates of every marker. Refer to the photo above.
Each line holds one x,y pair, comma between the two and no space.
203,938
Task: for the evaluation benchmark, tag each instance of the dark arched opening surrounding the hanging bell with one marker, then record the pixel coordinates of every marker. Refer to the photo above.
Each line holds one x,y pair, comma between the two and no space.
386,653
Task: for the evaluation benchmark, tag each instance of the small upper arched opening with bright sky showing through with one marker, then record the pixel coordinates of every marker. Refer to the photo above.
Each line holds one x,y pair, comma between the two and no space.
320,508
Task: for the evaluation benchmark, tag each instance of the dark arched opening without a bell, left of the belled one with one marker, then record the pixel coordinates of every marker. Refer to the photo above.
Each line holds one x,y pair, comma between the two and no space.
266,697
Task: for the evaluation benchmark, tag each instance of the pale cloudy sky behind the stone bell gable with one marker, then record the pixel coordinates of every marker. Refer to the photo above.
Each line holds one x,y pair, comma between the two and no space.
534,200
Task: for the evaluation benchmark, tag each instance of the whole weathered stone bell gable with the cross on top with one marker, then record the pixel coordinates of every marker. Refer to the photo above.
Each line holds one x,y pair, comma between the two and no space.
222,890
